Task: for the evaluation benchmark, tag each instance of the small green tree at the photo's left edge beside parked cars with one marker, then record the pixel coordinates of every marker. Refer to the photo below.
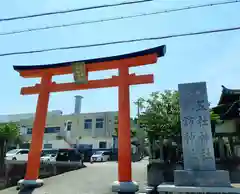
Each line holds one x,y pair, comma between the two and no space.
8,133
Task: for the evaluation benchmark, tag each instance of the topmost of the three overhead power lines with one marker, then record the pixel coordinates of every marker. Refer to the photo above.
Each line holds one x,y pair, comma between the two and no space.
73,10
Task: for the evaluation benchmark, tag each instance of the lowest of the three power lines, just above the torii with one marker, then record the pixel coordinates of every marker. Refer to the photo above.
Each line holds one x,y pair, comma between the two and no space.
122,41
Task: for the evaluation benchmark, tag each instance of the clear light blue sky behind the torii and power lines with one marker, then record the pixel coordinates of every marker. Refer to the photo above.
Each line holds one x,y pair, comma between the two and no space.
213,58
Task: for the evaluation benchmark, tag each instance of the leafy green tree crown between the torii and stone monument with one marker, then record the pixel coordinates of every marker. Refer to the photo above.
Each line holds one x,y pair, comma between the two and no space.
161,114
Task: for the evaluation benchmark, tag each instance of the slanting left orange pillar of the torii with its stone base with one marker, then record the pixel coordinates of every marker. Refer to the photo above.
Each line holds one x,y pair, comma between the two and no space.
32,173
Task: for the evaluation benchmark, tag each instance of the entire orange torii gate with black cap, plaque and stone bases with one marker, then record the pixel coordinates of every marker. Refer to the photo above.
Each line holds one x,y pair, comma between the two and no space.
80,69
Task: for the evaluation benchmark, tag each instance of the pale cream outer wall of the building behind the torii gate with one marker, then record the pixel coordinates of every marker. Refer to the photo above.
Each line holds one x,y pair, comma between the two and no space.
80,131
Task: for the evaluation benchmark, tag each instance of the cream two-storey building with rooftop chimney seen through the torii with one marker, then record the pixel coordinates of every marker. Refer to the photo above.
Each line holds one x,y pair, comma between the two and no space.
86,129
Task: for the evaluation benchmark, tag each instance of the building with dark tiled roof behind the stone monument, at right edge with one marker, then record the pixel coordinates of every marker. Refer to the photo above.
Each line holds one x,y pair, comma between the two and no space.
228,131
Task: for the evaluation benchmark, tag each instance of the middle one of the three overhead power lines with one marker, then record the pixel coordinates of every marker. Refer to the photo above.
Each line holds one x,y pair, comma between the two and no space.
119,18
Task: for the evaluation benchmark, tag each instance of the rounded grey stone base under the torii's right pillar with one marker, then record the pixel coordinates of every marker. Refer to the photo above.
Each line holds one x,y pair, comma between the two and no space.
125,187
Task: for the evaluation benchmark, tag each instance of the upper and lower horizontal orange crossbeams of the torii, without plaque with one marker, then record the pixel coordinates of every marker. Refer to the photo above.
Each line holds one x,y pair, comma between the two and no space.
139,58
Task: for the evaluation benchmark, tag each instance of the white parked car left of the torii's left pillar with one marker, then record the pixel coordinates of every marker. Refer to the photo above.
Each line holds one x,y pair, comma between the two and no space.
17,154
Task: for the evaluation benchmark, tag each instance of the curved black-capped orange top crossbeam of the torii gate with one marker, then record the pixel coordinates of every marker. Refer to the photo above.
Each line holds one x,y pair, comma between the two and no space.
139,58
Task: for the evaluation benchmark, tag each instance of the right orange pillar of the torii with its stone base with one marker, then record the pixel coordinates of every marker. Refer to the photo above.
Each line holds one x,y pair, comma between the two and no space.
124,183
